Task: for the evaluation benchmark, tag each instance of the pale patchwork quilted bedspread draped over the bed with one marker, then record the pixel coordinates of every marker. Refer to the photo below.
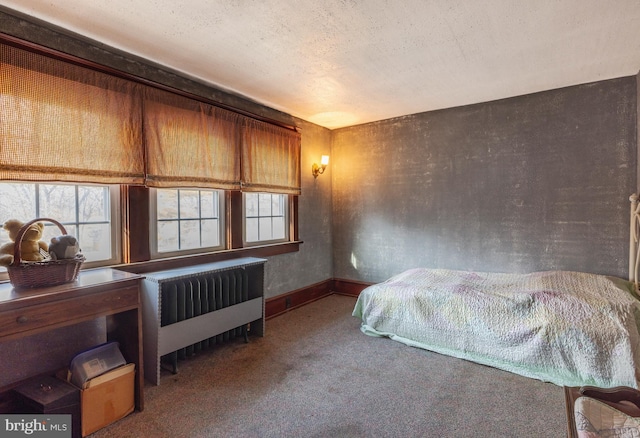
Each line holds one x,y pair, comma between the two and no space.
568,328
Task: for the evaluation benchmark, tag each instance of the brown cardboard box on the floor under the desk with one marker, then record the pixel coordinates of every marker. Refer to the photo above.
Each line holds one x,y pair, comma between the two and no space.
107,398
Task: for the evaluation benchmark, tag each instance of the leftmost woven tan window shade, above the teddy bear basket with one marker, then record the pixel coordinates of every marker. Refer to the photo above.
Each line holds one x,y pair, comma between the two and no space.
63,122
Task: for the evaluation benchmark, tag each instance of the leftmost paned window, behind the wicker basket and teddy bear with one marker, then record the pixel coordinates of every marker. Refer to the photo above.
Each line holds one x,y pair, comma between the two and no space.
86,211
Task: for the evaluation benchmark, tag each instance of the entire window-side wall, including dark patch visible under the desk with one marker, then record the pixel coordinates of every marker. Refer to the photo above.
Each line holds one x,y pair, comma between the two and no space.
283,273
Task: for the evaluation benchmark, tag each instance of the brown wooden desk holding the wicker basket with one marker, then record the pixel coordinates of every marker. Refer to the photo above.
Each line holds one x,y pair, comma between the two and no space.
96,293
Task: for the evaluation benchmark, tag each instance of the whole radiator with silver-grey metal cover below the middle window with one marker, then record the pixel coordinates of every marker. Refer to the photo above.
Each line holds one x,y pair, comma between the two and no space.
190,309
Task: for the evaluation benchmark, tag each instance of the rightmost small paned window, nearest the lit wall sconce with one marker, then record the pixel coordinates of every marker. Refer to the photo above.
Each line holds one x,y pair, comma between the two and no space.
265,218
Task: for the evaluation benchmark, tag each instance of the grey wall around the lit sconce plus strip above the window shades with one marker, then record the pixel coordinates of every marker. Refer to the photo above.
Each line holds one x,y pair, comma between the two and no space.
283,273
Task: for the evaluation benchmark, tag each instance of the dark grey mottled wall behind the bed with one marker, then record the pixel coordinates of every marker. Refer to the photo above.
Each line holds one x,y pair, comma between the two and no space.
536,182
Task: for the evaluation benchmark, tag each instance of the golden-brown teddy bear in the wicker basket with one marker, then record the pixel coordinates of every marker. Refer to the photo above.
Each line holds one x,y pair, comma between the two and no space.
31,248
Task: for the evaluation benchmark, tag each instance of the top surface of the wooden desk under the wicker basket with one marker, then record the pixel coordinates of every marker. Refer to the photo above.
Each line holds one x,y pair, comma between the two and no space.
87,280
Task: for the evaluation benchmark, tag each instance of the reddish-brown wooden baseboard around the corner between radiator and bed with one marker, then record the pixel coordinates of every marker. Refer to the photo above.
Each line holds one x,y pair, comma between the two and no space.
283,303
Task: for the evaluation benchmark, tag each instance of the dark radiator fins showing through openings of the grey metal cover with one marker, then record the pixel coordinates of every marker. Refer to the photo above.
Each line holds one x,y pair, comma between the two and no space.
193,296
